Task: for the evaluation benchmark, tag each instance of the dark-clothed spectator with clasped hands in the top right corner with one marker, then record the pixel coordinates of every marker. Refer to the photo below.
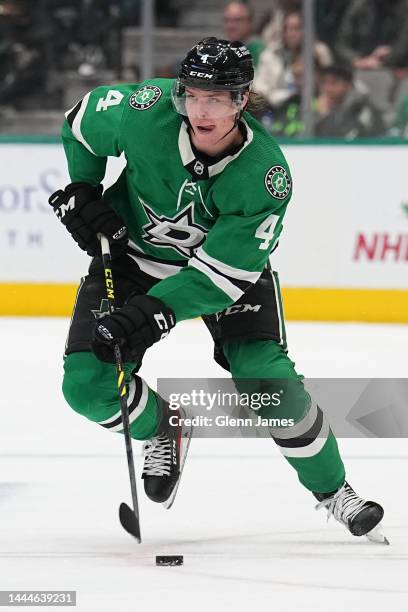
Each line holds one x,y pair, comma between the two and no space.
374,34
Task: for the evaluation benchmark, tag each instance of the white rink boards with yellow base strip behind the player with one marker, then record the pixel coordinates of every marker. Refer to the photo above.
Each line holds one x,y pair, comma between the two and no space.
342,257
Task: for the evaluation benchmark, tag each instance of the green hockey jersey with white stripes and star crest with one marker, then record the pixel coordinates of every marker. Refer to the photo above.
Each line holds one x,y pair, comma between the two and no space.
204,226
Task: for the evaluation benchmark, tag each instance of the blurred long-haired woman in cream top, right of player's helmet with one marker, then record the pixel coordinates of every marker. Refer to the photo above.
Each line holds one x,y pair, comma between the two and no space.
274,78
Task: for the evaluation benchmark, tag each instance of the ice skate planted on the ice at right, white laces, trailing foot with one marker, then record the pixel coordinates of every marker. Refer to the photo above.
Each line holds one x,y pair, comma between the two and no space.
361,517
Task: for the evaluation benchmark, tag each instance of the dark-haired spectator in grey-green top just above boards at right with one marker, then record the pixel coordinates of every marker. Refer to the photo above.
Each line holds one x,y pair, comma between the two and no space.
342,110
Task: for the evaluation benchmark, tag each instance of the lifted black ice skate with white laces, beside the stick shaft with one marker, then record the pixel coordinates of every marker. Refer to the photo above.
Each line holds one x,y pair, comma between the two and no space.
165,455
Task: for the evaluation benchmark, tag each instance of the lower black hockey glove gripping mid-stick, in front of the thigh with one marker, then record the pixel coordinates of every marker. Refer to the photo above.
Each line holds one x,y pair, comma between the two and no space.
142,321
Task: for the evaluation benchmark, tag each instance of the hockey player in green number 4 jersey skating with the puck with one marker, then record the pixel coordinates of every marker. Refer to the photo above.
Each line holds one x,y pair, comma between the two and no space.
192,221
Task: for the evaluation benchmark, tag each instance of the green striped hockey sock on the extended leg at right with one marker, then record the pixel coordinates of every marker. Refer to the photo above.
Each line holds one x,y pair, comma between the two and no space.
309,445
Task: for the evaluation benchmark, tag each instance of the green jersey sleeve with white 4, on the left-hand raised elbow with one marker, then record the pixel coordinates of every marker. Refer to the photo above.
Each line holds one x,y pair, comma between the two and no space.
92,132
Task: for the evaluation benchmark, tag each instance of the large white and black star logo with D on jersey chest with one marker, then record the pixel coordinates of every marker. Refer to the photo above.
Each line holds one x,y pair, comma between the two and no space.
178,232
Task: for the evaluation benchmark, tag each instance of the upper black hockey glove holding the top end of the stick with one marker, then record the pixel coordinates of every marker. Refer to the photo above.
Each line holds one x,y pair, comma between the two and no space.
83,212
